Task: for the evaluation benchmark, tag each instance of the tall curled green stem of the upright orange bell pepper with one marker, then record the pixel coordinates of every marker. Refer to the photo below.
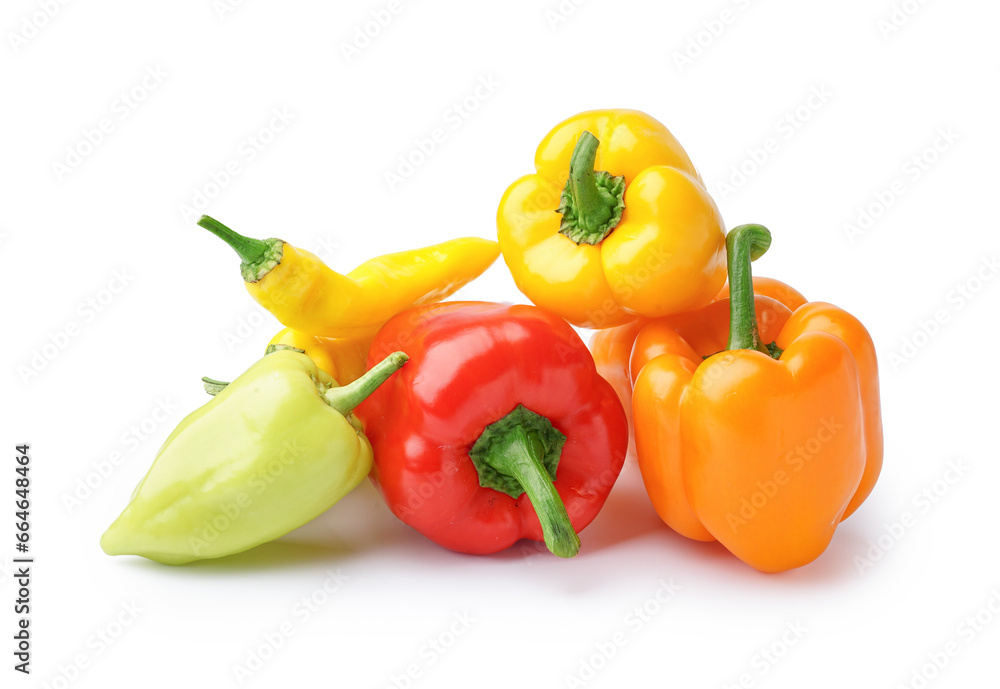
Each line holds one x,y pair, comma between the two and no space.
744,244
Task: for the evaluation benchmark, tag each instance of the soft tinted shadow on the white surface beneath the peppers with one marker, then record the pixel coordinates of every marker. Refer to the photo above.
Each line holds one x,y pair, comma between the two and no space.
361,526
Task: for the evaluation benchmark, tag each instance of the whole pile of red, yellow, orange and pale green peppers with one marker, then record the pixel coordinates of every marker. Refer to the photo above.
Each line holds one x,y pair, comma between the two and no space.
755,413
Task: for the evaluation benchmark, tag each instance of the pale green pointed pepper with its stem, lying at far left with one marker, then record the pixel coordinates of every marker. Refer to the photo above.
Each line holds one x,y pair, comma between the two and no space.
272,450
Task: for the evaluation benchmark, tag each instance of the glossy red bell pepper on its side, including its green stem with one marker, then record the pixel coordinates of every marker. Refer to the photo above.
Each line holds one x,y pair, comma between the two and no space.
473,366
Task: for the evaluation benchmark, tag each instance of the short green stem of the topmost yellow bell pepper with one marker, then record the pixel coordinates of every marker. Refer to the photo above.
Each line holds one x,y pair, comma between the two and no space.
592,202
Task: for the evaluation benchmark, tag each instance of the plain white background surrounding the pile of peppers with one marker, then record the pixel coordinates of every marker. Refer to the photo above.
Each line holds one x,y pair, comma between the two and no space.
320,183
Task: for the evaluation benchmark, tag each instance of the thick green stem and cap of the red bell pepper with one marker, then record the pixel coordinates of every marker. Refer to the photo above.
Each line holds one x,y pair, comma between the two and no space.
519,455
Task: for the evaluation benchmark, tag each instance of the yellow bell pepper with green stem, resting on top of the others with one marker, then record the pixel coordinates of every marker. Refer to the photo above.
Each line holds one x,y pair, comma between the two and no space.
641,236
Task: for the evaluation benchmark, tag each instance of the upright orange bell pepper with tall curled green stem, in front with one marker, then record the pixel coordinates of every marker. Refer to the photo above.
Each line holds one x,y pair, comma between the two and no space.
763,448
